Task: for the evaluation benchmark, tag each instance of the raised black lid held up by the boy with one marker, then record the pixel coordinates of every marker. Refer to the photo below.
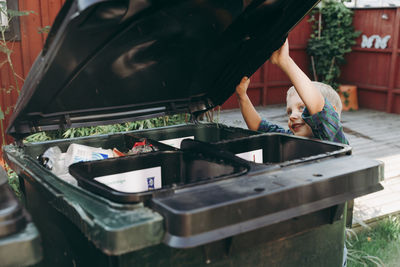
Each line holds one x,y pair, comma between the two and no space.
112,61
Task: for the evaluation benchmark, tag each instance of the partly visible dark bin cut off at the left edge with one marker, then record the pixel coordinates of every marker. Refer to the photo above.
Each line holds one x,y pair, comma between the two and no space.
19,239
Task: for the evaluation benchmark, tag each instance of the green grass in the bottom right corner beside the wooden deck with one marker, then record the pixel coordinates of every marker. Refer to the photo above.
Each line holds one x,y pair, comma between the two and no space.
377,246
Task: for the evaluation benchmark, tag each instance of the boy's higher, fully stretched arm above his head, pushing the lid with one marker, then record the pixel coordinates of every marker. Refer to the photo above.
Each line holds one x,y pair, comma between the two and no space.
310,95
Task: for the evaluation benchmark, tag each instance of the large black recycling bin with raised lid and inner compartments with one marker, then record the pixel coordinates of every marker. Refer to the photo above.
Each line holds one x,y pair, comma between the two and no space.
211,194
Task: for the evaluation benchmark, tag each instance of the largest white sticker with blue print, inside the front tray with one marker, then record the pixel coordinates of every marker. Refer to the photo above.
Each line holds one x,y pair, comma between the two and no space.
133,181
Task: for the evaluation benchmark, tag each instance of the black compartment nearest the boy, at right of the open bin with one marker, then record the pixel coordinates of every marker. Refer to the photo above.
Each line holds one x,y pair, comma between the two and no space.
280,148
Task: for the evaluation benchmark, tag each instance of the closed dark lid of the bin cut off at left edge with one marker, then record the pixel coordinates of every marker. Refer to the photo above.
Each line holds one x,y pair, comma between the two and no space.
12,215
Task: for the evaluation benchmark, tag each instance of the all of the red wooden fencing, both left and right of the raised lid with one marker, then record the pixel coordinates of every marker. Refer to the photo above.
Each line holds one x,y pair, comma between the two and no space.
374,71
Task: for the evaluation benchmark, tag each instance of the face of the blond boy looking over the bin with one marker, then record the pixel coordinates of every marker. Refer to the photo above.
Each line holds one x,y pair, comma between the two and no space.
294,108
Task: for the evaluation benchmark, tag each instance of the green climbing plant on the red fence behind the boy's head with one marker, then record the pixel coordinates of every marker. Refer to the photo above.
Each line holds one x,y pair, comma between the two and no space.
331,39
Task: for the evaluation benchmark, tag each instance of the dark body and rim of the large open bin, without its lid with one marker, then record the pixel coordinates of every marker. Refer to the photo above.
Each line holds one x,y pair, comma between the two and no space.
249,214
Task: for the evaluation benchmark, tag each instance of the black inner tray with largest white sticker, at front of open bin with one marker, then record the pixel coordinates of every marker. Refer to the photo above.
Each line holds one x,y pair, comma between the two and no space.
176,168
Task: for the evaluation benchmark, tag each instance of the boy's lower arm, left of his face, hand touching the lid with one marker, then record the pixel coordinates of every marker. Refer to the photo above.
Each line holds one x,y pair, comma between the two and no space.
249,113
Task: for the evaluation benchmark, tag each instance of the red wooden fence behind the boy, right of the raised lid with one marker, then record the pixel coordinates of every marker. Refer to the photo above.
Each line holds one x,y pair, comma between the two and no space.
376,72
